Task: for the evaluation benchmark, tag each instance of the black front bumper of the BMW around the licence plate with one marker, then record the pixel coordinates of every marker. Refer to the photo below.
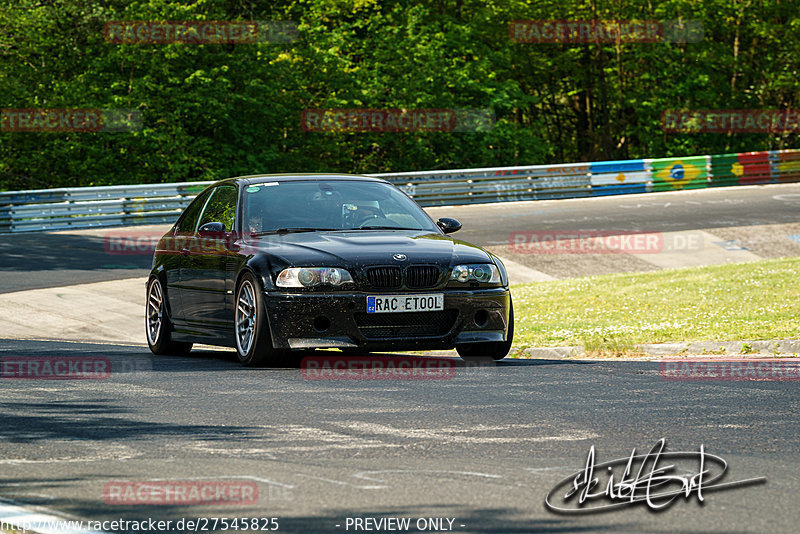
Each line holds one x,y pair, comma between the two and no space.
339,320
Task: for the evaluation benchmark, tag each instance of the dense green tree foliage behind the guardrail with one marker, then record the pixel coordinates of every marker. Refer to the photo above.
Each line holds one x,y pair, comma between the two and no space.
216,110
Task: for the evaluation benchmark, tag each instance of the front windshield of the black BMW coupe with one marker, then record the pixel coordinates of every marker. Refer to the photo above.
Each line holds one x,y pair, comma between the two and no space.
330,205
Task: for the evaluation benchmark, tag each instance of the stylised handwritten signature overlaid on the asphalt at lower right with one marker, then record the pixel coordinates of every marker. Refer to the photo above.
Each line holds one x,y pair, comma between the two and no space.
655,480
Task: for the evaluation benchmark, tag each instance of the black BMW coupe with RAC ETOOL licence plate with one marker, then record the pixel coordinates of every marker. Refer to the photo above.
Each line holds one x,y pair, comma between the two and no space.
272,264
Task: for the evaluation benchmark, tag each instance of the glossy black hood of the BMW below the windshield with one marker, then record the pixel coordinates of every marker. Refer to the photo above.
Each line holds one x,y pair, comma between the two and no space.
358,248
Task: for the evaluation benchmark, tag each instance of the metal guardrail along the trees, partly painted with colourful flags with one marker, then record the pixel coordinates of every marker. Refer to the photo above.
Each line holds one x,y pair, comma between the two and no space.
125,205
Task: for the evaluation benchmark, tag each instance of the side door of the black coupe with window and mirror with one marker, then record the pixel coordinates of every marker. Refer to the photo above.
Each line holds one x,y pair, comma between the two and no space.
204,272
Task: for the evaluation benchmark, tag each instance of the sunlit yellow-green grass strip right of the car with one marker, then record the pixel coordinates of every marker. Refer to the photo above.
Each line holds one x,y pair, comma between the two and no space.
752,301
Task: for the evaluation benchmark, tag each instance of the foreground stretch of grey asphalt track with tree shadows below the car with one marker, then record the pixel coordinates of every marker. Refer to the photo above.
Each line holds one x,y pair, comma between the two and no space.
484,446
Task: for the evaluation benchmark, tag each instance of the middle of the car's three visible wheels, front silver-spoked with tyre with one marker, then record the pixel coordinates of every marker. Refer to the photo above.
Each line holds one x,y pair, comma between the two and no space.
251,329
